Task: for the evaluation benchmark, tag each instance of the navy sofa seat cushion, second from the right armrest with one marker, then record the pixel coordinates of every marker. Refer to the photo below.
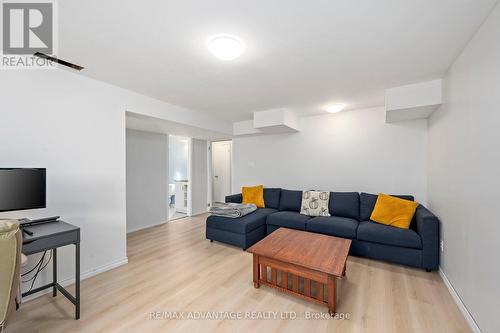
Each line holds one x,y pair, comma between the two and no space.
333,225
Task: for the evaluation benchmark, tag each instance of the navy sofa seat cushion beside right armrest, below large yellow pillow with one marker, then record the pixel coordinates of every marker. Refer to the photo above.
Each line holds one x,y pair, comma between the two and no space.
383,234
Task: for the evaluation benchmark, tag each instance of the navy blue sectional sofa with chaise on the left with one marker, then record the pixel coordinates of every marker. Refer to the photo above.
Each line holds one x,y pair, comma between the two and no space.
417,246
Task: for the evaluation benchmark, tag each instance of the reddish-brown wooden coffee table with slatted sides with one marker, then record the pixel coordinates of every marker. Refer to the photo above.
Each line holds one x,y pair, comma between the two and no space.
315,260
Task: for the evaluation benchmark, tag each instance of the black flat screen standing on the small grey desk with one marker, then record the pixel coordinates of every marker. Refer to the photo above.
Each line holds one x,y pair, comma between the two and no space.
22,188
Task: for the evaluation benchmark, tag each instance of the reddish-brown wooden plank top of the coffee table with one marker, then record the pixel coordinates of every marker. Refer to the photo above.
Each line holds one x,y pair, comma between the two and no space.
323,253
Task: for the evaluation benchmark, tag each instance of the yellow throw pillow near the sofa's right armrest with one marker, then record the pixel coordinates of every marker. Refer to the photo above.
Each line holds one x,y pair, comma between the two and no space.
393,211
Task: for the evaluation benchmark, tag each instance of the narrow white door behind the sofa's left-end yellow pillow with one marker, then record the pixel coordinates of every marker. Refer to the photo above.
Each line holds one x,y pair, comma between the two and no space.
221,170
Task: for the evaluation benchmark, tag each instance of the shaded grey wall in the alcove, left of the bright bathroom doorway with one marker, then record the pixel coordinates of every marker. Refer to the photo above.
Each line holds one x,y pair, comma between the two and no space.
147,179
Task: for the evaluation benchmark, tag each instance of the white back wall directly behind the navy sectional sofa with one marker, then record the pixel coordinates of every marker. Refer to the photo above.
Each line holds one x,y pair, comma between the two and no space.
346,151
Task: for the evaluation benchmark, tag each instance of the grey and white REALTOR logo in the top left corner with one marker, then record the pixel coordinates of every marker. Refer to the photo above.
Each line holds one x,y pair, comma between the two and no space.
27,28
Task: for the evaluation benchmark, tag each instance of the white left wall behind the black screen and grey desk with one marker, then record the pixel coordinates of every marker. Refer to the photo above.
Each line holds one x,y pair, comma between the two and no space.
75,127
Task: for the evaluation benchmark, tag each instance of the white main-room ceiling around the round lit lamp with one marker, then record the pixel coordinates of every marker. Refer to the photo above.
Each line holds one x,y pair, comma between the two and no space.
300,54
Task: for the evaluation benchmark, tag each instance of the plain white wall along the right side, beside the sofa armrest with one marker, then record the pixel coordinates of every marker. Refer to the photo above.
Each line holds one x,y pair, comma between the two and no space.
464,176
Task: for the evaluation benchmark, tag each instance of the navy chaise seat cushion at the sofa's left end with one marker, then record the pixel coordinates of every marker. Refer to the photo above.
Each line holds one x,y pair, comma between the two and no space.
241,225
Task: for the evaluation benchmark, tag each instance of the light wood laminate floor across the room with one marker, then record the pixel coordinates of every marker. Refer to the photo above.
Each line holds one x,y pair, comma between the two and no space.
173,267
